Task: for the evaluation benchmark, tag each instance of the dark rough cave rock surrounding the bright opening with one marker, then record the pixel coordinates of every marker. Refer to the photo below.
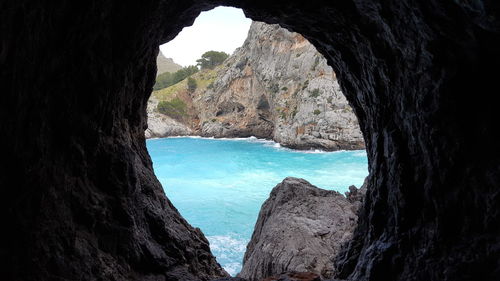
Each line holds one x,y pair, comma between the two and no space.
79,199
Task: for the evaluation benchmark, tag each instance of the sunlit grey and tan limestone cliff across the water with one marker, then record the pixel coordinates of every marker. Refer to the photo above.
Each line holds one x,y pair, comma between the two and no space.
275,86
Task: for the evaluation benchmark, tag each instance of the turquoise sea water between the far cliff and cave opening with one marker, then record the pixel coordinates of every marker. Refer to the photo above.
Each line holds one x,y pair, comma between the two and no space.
219,185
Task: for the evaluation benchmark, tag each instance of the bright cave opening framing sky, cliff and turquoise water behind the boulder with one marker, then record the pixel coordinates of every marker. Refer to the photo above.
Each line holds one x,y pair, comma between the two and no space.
275,91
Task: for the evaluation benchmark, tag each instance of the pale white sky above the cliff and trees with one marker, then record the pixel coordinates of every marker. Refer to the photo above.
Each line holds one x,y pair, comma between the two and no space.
220,29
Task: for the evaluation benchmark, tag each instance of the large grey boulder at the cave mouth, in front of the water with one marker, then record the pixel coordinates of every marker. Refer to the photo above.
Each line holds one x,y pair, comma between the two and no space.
300,228
